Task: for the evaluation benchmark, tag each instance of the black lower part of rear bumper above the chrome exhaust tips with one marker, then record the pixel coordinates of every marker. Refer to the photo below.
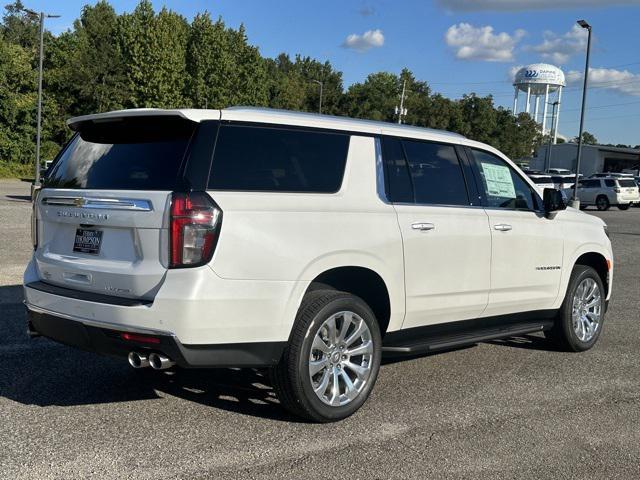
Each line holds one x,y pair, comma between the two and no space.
108,341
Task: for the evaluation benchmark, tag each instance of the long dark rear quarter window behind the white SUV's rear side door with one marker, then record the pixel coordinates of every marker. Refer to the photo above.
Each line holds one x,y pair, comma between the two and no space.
272,159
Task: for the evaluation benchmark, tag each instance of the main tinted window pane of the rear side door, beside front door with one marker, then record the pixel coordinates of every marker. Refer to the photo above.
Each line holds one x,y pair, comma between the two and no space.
436,173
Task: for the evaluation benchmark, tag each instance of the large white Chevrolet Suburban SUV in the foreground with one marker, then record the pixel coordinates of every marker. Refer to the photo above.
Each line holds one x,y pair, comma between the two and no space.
305,244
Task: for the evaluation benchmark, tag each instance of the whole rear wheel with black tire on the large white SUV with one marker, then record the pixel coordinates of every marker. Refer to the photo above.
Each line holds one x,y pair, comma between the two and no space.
292,379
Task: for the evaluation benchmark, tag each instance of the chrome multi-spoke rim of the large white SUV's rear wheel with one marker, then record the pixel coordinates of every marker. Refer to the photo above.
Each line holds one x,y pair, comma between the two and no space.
340,360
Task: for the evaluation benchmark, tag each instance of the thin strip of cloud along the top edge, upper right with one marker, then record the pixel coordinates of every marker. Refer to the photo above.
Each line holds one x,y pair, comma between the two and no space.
524,5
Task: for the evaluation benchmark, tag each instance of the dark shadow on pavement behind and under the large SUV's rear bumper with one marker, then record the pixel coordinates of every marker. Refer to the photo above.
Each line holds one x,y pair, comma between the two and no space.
44,373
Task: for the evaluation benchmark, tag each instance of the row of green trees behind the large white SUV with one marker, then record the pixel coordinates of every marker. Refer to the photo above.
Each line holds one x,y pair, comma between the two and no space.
159,59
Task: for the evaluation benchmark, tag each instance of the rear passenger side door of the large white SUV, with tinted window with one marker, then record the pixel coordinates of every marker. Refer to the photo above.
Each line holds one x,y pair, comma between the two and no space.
446,239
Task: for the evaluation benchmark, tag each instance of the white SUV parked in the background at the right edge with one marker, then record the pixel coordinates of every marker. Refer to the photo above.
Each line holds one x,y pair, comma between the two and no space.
605,192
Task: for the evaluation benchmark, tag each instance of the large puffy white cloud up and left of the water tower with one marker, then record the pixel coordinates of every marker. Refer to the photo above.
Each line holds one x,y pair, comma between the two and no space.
480,43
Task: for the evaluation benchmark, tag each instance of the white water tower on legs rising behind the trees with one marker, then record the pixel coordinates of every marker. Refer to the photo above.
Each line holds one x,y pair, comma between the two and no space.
539,80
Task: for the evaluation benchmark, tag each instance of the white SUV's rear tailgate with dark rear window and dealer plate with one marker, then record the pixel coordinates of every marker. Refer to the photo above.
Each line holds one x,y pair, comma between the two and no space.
102,221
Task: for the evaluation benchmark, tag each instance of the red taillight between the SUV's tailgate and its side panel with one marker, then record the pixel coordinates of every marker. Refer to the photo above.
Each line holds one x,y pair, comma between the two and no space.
194,226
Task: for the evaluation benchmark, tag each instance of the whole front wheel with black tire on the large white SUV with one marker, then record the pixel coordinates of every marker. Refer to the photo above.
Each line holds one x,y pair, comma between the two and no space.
565,332
